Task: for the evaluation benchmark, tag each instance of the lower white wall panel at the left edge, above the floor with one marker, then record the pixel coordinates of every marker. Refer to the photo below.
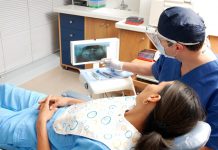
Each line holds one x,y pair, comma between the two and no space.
17,50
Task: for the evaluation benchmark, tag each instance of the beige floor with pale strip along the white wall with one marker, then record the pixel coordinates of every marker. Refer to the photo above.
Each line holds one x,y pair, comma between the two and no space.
45,75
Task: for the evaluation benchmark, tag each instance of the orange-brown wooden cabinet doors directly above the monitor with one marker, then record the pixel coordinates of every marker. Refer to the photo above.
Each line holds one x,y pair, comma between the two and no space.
100,28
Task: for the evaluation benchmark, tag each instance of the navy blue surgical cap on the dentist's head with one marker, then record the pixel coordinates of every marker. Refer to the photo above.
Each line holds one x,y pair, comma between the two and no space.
181,25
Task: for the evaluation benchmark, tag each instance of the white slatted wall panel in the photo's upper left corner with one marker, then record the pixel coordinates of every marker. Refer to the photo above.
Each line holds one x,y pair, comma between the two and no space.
13,16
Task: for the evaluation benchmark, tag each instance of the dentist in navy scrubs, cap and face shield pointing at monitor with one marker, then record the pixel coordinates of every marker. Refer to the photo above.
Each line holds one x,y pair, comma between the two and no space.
185,57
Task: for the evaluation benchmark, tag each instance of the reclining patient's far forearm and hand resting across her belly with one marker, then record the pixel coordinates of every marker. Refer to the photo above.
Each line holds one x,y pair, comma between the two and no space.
58,101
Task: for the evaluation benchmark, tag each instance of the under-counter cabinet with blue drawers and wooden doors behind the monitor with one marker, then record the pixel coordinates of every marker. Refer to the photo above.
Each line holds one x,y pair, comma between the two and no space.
72,28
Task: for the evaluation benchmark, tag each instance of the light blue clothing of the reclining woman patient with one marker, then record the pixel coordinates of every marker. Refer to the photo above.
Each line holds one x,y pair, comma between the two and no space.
18,115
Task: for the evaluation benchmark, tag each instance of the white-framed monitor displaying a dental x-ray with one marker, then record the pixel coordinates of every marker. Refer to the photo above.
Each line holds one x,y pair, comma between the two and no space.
92,51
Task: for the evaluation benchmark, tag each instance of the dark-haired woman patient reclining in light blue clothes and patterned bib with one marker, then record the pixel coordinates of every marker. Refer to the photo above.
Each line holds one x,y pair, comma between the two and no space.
151,120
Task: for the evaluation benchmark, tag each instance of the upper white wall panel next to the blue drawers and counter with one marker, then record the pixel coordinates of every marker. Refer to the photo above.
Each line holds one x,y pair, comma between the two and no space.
40,12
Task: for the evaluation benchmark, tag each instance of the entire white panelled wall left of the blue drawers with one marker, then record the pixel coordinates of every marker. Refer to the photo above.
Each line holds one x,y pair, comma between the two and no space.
28,31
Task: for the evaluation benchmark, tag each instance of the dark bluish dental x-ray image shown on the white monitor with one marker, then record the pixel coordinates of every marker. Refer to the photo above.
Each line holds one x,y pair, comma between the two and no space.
87,52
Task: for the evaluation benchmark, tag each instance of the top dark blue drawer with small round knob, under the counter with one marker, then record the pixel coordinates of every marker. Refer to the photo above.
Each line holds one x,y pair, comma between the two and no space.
71,21
